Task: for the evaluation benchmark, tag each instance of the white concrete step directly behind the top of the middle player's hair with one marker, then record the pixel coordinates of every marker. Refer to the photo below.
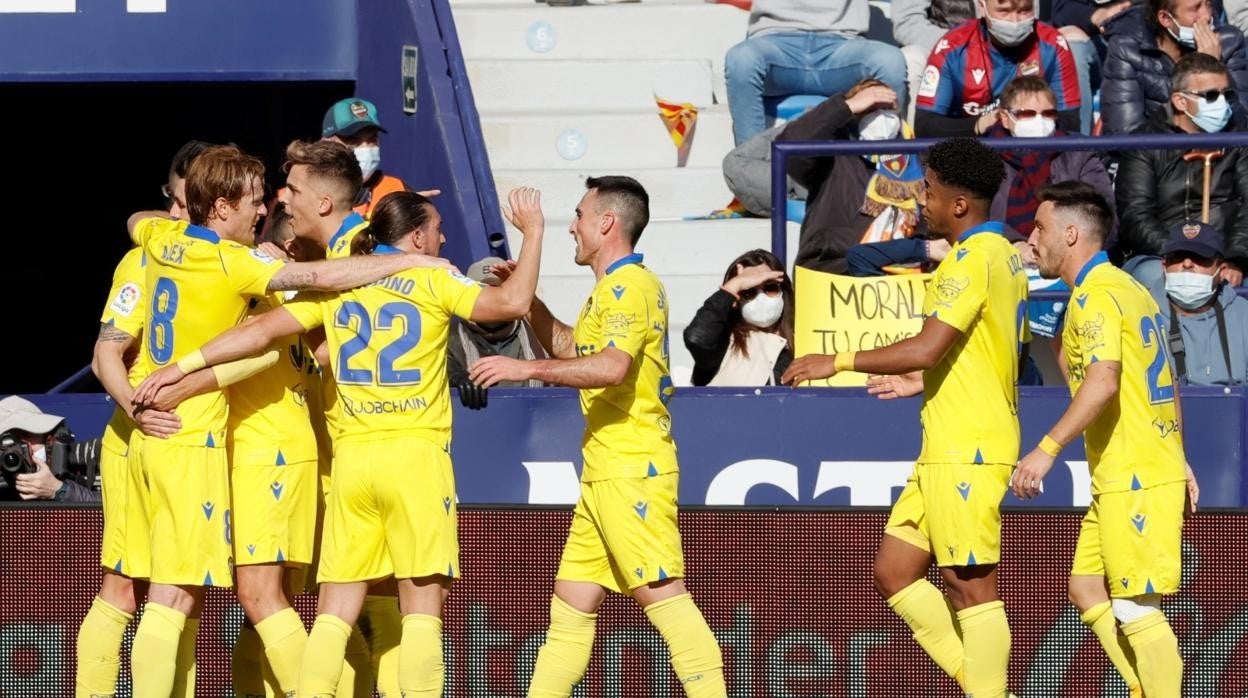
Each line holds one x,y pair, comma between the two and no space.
675,192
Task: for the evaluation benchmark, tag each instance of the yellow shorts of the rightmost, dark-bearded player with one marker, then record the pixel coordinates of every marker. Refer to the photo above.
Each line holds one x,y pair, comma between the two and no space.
1134,540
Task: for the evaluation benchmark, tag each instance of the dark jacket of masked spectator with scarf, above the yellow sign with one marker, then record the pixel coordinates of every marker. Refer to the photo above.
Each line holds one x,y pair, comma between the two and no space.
837,187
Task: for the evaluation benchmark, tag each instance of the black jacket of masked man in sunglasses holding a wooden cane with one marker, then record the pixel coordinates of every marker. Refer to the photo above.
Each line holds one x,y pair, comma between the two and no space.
1158,189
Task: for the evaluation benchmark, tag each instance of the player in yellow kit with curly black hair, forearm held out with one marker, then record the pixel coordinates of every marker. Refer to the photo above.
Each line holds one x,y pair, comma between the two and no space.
969,351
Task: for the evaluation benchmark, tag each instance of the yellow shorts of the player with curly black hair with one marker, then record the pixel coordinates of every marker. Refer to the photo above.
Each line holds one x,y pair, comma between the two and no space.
954,511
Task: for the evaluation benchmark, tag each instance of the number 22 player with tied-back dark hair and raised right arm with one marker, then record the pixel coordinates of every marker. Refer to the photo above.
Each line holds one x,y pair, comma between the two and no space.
392,508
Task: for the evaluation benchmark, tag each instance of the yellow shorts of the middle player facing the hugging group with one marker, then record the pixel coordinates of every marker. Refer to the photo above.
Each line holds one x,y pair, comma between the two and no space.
625,534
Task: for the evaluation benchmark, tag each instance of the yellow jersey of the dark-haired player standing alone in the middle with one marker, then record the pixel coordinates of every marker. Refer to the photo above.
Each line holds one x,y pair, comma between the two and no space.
628,428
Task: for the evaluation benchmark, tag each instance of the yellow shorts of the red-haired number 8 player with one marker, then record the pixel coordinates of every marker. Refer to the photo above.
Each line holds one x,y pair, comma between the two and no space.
188,503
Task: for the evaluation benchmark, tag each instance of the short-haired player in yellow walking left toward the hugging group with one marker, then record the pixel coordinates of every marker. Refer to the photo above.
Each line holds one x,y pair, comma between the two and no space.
625,536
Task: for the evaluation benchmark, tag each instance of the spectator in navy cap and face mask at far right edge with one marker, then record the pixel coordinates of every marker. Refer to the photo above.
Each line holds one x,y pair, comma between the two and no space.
1211,347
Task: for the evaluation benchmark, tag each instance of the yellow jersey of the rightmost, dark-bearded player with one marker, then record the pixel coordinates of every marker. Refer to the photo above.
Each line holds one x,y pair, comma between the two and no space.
1135,443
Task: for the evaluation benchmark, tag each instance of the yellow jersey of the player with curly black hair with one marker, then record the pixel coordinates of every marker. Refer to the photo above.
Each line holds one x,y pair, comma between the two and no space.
970,413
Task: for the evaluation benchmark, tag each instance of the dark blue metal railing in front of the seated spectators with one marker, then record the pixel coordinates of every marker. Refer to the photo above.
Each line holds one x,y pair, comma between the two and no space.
783,152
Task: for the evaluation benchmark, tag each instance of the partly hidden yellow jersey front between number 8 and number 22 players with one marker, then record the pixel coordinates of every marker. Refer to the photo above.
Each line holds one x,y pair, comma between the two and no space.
269,413
